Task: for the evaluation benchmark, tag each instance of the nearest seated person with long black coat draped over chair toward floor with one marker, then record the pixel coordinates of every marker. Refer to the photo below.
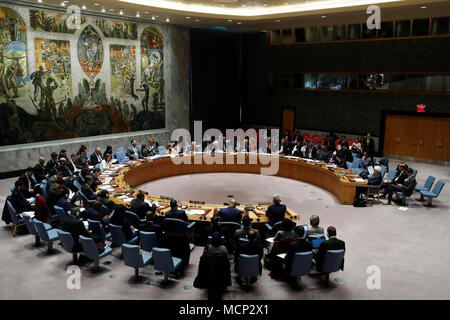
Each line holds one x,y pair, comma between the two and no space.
214,269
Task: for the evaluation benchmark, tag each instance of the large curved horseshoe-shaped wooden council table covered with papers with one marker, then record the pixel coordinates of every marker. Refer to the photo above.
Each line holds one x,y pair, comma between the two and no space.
130,175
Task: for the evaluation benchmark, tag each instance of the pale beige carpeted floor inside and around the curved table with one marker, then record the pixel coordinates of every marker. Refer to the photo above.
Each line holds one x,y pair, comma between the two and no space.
410,247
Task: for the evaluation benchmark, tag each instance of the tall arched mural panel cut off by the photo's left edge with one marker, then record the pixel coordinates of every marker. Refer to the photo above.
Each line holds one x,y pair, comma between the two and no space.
13,56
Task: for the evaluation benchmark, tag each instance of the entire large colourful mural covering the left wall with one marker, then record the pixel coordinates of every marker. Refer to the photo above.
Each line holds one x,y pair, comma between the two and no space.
67,92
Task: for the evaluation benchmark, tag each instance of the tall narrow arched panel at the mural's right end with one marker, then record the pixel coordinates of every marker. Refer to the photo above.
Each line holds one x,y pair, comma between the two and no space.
152,70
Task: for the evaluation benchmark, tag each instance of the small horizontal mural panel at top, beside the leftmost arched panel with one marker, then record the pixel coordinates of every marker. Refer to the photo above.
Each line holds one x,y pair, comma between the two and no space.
52,22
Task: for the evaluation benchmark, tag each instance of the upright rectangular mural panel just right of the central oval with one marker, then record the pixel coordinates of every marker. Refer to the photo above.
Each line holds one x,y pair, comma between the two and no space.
123,71
